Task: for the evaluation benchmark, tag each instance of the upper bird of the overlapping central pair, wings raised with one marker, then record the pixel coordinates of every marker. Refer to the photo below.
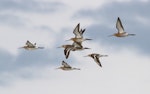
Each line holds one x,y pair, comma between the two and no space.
78,34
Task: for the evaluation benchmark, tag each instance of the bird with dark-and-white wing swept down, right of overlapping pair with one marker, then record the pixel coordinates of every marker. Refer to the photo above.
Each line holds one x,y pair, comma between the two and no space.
96,57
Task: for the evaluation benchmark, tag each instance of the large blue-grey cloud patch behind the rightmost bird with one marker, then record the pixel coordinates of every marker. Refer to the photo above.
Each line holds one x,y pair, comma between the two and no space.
135,18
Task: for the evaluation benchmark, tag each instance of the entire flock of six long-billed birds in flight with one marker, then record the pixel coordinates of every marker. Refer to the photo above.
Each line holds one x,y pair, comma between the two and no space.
77,45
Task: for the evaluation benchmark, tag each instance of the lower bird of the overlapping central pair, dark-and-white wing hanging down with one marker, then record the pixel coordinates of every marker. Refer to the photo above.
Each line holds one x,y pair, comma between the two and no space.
76,46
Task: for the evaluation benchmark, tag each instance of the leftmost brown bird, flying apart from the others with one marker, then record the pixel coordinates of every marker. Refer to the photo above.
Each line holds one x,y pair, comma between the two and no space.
31,46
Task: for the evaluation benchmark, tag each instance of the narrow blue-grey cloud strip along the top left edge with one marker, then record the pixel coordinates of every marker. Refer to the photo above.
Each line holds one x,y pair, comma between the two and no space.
29,6
